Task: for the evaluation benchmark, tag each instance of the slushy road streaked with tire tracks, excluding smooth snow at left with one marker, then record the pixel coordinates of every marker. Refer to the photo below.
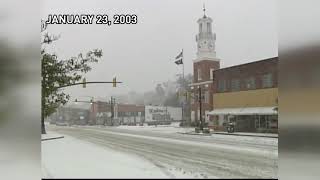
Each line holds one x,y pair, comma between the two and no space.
214,156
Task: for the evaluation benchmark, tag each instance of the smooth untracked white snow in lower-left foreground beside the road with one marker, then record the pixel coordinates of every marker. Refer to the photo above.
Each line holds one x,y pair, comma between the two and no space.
72,158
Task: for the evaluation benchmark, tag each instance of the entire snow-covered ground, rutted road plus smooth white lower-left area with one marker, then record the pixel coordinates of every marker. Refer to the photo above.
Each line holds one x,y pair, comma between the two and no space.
158,152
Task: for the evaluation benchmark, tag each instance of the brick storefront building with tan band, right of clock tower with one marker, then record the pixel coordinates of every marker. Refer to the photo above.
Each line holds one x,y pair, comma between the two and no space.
246,94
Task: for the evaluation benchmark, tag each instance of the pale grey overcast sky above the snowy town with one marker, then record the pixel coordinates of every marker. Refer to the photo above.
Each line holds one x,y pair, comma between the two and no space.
142,55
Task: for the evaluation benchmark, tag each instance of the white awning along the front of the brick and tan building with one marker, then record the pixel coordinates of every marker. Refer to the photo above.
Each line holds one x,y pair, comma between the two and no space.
245,111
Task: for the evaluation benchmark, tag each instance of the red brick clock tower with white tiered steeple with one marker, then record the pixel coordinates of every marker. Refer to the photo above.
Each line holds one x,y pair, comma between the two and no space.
203,66
